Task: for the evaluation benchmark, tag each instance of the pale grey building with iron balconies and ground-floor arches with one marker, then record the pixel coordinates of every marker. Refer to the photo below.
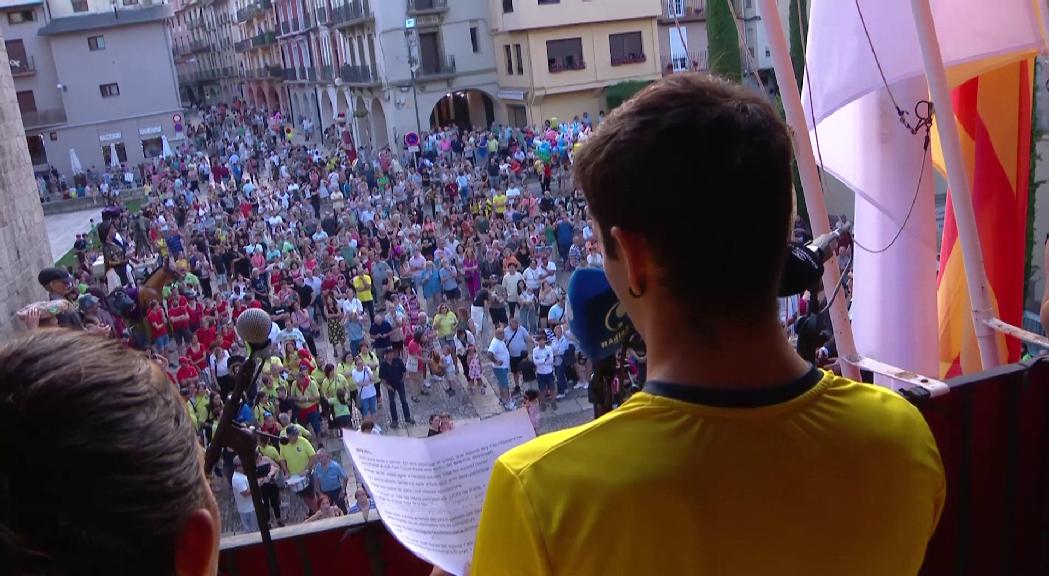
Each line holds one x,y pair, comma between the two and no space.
382,69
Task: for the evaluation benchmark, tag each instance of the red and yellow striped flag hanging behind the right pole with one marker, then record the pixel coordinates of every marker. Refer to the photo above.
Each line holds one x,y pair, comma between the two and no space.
994,116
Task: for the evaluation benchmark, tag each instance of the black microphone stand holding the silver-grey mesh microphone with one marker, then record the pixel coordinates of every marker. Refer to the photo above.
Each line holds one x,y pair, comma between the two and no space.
242,441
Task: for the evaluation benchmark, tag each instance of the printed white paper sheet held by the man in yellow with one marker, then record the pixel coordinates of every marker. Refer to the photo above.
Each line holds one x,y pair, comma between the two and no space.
430,490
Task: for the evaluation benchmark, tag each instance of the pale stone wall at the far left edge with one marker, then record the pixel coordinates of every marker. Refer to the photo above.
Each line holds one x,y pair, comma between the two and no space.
25,250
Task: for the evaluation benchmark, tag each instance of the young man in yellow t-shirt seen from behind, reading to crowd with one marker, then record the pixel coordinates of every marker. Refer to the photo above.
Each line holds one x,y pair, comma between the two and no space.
739,458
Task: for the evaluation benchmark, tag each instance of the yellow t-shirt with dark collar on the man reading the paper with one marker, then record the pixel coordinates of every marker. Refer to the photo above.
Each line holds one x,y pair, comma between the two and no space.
844,479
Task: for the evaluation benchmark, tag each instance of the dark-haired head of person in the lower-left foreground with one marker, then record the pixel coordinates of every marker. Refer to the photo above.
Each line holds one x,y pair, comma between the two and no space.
138,502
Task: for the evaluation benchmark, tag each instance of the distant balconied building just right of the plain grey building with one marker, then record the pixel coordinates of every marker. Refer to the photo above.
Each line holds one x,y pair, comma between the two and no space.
204,33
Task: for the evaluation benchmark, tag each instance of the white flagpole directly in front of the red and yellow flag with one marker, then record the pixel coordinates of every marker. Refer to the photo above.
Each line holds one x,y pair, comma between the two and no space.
961,195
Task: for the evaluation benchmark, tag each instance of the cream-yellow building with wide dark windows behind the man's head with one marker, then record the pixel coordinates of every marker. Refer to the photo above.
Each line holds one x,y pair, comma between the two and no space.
558,57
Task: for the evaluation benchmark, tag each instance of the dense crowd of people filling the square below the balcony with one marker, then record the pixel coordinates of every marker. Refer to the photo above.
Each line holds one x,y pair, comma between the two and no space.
389,278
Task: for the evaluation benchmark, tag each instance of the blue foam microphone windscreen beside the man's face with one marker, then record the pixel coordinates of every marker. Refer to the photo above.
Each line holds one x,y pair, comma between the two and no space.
598,319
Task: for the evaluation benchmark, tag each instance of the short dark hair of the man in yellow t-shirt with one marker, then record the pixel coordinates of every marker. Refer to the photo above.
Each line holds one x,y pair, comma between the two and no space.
701,168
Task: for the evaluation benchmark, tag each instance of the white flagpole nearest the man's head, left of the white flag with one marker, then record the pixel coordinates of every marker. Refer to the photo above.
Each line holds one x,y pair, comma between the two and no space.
810,179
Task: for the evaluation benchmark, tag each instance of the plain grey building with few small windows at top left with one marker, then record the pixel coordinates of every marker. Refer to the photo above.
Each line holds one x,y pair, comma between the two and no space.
93,79
